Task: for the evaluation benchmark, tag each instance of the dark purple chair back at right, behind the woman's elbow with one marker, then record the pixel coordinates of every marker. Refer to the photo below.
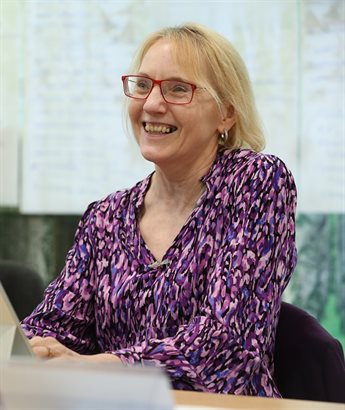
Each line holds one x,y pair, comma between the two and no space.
309,362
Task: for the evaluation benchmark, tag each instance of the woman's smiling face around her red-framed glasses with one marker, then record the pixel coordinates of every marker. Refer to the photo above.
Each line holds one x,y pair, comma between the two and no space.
181,136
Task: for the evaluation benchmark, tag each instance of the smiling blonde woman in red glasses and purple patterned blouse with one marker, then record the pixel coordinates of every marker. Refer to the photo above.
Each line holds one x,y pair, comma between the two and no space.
186,269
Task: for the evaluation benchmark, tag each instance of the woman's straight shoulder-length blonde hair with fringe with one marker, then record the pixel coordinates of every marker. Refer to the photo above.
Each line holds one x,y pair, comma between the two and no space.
226,77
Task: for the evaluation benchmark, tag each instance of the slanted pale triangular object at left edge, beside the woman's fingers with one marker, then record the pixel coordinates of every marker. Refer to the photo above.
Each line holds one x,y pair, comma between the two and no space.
13,341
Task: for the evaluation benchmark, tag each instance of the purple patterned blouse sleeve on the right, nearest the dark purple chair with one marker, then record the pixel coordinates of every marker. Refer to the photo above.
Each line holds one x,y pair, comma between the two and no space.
226,347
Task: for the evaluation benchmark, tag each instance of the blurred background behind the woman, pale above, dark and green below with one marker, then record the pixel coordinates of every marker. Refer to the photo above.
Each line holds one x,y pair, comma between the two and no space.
62,133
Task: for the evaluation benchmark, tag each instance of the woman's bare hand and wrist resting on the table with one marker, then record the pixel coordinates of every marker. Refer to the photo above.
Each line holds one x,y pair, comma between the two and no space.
50,348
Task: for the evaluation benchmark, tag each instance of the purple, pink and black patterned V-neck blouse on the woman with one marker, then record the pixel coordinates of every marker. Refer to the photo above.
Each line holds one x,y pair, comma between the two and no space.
208,315
